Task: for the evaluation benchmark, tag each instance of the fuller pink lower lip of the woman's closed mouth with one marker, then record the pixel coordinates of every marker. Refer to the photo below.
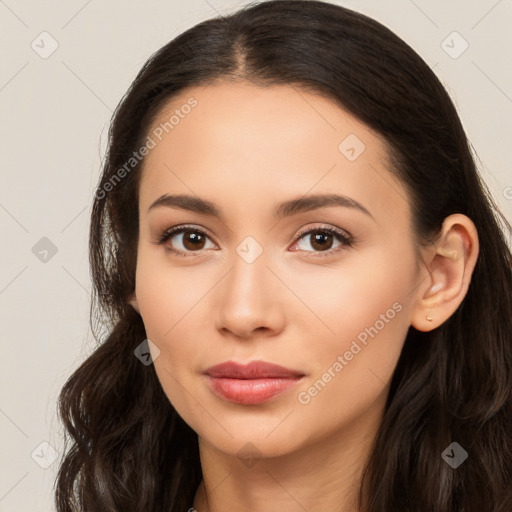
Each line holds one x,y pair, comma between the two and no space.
250,391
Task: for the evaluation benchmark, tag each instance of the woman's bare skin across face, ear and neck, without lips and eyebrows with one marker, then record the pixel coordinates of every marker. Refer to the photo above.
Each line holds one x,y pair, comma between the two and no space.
246,149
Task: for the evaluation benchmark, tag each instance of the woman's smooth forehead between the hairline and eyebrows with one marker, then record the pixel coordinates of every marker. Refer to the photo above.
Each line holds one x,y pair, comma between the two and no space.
265,142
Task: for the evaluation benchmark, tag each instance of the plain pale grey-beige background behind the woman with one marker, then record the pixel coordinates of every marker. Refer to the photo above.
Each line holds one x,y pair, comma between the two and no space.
55,113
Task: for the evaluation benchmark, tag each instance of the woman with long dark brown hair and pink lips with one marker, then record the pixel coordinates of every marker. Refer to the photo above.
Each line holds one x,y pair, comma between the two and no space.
307,288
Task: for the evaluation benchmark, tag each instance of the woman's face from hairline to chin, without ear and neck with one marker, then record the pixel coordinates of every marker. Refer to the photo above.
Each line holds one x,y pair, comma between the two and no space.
267,270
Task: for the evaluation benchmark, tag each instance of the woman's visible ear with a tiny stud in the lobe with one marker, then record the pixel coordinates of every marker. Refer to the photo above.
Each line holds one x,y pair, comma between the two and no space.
450,264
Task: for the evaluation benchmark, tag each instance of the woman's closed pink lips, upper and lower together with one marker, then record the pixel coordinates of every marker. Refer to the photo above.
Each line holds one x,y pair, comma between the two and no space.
251,384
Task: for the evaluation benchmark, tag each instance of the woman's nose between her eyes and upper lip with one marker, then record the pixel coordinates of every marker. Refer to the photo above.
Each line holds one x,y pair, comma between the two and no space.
250,301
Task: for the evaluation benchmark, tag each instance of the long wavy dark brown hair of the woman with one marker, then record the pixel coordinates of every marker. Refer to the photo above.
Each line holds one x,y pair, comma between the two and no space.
129,450
